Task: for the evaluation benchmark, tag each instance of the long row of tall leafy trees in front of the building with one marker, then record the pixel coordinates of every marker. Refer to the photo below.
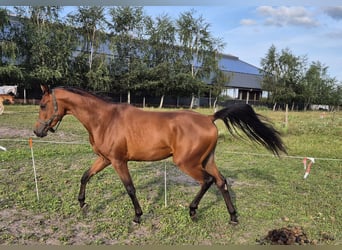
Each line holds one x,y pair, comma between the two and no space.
146,55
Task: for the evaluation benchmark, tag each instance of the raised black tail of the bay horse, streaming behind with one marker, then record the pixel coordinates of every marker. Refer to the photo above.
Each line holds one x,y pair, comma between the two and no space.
243,116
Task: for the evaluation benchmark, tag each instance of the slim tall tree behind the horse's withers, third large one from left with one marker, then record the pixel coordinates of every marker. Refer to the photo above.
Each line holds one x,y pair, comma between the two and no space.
127,25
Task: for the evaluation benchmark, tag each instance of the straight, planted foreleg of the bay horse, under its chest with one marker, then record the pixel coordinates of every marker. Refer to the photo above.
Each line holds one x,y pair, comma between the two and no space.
122,170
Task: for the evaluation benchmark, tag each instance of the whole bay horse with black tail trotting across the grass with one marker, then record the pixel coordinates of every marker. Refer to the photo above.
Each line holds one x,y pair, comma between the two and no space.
120,133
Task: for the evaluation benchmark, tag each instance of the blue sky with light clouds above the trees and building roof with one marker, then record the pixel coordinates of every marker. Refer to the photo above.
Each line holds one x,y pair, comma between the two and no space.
250,30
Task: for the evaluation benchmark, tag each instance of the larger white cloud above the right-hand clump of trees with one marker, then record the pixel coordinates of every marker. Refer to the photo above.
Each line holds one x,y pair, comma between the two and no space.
287,16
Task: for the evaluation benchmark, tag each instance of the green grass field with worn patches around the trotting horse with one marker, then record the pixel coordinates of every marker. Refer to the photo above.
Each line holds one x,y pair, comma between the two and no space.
269,193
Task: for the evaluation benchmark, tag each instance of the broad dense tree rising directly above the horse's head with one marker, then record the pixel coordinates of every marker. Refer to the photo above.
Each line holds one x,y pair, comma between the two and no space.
45,44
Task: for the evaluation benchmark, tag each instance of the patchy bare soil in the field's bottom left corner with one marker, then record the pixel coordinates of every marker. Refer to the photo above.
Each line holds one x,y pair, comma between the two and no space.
26,228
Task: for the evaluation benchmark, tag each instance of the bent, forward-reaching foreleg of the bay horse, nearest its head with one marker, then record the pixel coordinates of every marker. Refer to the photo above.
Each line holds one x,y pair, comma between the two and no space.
97,166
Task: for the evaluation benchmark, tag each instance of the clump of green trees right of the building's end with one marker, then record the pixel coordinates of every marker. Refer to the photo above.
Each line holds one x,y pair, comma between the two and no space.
288,79
